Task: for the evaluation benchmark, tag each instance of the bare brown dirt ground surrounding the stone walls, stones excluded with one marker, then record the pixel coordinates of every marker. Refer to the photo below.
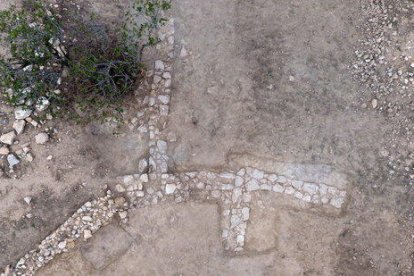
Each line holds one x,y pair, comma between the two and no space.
262,80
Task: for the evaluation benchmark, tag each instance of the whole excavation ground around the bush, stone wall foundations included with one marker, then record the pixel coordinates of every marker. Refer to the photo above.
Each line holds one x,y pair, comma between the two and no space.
269,137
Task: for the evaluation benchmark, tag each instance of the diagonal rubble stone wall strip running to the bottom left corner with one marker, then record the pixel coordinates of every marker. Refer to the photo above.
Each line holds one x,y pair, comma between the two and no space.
87,220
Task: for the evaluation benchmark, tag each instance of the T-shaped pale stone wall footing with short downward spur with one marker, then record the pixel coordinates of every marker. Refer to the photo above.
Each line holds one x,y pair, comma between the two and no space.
233,192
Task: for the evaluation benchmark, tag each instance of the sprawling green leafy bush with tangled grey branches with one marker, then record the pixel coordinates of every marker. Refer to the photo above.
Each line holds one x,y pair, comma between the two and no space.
74,63
